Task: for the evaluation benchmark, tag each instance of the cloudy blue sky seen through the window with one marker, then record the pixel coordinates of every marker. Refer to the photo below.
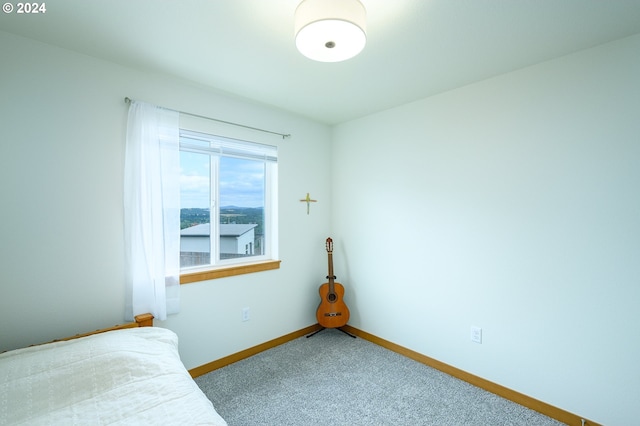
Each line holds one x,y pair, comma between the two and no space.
241,181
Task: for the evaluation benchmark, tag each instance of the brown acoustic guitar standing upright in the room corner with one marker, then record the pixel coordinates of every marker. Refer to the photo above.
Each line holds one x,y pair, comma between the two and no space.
332,311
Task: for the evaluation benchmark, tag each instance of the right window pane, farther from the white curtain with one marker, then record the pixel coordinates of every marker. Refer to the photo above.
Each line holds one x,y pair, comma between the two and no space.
242,204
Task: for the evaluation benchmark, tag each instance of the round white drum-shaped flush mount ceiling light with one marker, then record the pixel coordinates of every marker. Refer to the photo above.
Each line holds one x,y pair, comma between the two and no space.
330,30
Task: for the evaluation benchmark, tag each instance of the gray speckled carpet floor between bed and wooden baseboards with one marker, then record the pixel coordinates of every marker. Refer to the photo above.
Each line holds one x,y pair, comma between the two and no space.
333,379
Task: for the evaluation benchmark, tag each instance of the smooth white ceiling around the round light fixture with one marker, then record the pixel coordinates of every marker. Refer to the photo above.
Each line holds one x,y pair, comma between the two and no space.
415,48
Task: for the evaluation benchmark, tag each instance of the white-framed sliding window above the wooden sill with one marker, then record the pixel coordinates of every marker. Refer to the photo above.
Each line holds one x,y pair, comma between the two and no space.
228,202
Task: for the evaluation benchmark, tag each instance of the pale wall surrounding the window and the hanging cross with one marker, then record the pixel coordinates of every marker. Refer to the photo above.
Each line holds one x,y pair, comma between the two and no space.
63,126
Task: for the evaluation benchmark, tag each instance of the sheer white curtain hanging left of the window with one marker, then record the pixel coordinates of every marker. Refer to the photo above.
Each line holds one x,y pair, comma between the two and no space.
152,211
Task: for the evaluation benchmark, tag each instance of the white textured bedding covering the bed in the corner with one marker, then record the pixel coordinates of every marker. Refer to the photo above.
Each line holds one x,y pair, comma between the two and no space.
132,377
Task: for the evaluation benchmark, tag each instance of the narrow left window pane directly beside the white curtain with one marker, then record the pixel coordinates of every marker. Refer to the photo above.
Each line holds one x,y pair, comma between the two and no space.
195,215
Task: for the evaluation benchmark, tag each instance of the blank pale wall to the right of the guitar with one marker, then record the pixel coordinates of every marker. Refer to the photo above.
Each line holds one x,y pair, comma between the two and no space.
512,205
